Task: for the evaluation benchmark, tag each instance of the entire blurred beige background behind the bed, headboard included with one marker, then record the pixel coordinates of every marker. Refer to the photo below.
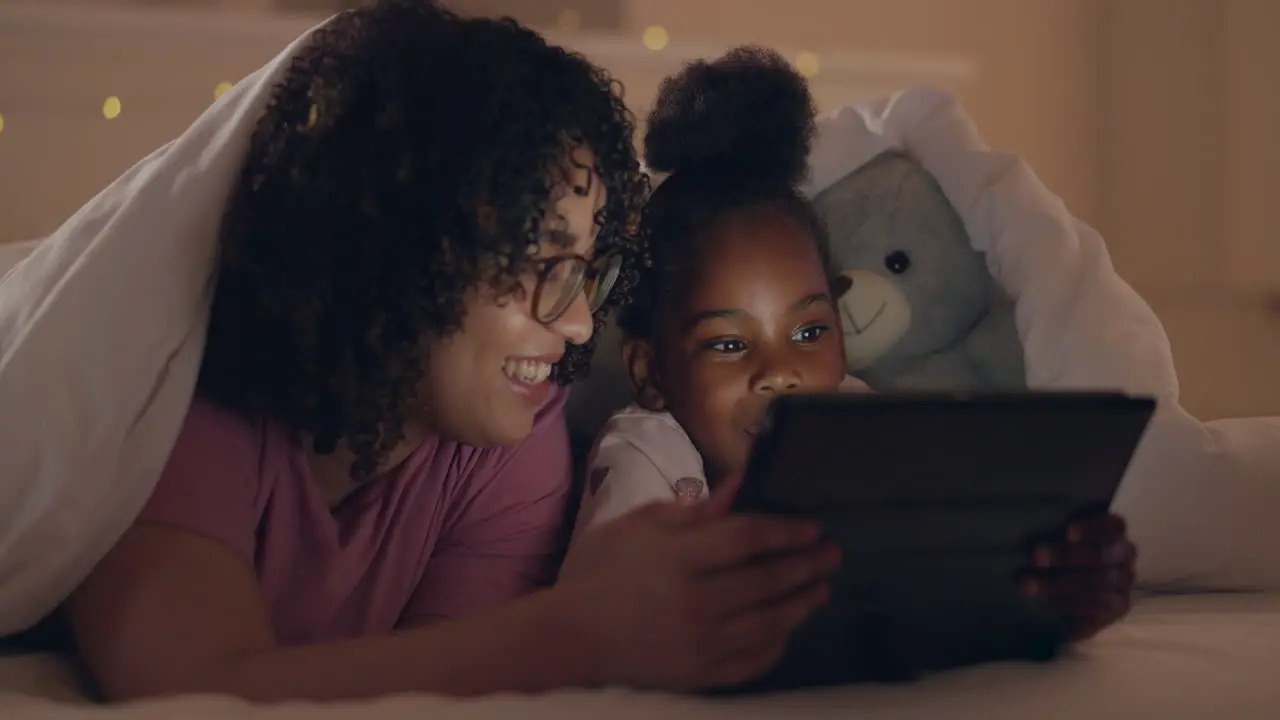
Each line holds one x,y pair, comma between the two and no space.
1154,120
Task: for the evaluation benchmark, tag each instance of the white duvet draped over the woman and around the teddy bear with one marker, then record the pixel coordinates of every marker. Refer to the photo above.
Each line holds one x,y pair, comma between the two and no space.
103,327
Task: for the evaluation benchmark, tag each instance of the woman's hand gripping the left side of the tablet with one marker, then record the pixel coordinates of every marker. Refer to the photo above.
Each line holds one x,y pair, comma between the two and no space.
683,598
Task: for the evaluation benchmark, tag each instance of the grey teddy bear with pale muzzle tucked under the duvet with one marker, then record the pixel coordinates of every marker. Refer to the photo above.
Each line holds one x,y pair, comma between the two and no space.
921,312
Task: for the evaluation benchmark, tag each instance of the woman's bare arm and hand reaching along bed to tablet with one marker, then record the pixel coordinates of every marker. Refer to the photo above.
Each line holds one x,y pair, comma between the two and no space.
674,598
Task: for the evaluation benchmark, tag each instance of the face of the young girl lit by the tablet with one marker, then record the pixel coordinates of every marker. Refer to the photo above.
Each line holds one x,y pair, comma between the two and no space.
757,321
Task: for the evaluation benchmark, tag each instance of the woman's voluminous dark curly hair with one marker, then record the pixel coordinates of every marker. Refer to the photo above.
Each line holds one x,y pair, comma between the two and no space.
406,158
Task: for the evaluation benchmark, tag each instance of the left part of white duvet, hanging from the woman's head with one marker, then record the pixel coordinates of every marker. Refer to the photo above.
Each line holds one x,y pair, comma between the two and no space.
102,332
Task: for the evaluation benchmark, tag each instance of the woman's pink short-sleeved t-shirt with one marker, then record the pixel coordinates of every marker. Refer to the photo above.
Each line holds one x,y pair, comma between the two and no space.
449,532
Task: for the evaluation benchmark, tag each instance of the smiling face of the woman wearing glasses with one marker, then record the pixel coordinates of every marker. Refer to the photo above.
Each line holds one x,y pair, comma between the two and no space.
484,384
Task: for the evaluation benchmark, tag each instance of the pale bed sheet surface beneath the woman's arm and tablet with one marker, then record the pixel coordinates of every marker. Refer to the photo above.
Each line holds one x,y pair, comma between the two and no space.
1174,658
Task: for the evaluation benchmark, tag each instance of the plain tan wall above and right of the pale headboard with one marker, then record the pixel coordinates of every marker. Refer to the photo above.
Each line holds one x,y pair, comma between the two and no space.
1156,121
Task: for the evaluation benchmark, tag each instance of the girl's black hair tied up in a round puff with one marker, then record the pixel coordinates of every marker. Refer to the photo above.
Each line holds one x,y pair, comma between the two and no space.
735,135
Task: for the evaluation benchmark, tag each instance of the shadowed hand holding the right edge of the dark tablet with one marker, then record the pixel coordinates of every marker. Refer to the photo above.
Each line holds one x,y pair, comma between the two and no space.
1087,573
